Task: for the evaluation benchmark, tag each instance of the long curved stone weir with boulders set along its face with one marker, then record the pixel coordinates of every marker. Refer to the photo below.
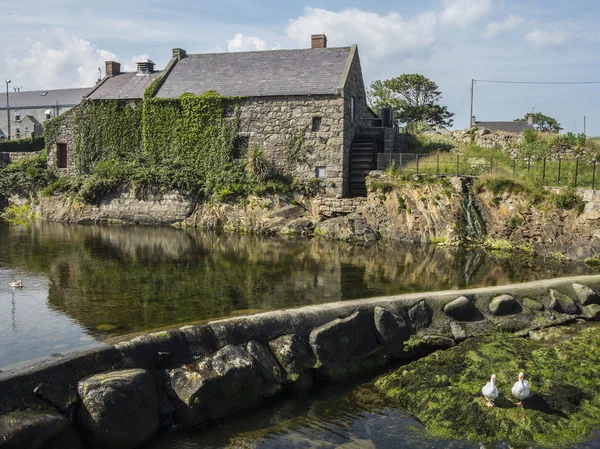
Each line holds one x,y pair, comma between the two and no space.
120,395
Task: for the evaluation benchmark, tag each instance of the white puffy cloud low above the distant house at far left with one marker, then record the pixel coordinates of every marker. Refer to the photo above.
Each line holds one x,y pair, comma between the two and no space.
65,61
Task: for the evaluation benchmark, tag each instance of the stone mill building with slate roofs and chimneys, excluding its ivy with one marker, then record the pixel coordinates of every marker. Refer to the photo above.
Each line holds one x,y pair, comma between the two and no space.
314,98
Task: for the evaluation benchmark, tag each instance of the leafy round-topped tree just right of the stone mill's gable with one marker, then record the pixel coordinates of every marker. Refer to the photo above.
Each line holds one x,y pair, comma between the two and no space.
413,98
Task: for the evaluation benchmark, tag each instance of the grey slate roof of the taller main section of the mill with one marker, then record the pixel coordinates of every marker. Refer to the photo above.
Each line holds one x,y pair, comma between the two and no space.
259,73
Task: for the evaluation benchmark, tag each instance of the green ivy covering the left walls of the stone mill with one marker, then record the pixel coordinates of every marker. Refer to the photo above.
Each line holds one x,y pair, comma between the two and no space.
189,143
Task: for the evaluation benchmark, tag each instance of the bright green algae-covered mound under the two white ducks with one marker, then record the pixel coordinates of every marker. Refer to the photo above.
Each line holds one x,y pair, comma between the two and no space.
443,390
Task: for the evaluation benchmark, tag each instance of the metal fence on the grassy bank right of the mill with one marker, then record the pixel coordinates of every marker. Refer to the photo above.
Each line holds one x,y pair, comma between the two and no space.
577,172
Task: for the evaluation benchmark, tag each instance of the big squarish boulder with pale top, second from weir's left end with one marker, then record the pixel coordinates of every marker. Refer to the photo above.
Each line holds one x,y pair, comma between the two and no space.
119,408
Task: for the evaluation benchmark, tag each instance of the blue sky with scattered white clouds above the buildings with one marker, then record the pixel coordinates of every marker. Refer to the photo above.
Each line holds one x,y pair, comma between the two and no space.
50,44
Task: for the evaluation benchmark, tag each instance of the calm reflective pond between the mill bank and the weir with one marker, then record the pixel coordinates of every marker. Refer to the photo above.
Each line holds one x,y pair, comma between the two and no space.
84,284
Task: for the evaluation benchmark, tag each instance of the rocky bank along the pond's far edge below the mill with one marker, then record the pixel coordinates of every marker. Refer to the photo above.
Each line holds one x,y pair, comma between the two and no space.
422,210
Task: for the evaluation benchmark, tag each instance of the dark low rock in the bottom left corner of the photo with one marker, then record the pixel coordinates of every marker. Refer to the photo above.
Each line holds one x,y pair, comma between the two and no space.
37,429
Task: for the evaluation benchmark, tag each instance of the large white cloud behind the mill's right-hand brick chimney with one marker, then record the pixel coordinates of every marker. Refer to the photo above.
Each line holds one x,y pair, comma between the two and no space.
378,35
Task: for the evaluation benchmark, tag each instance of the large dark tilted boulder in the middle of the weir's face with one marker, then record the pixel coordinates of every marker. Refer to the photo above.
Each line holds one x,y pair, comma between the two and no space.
345,347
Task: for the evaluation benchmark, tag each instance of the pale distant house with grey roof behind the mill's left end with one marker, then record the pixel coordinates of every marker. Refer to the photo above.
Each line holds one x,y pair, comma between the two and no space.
28,110
